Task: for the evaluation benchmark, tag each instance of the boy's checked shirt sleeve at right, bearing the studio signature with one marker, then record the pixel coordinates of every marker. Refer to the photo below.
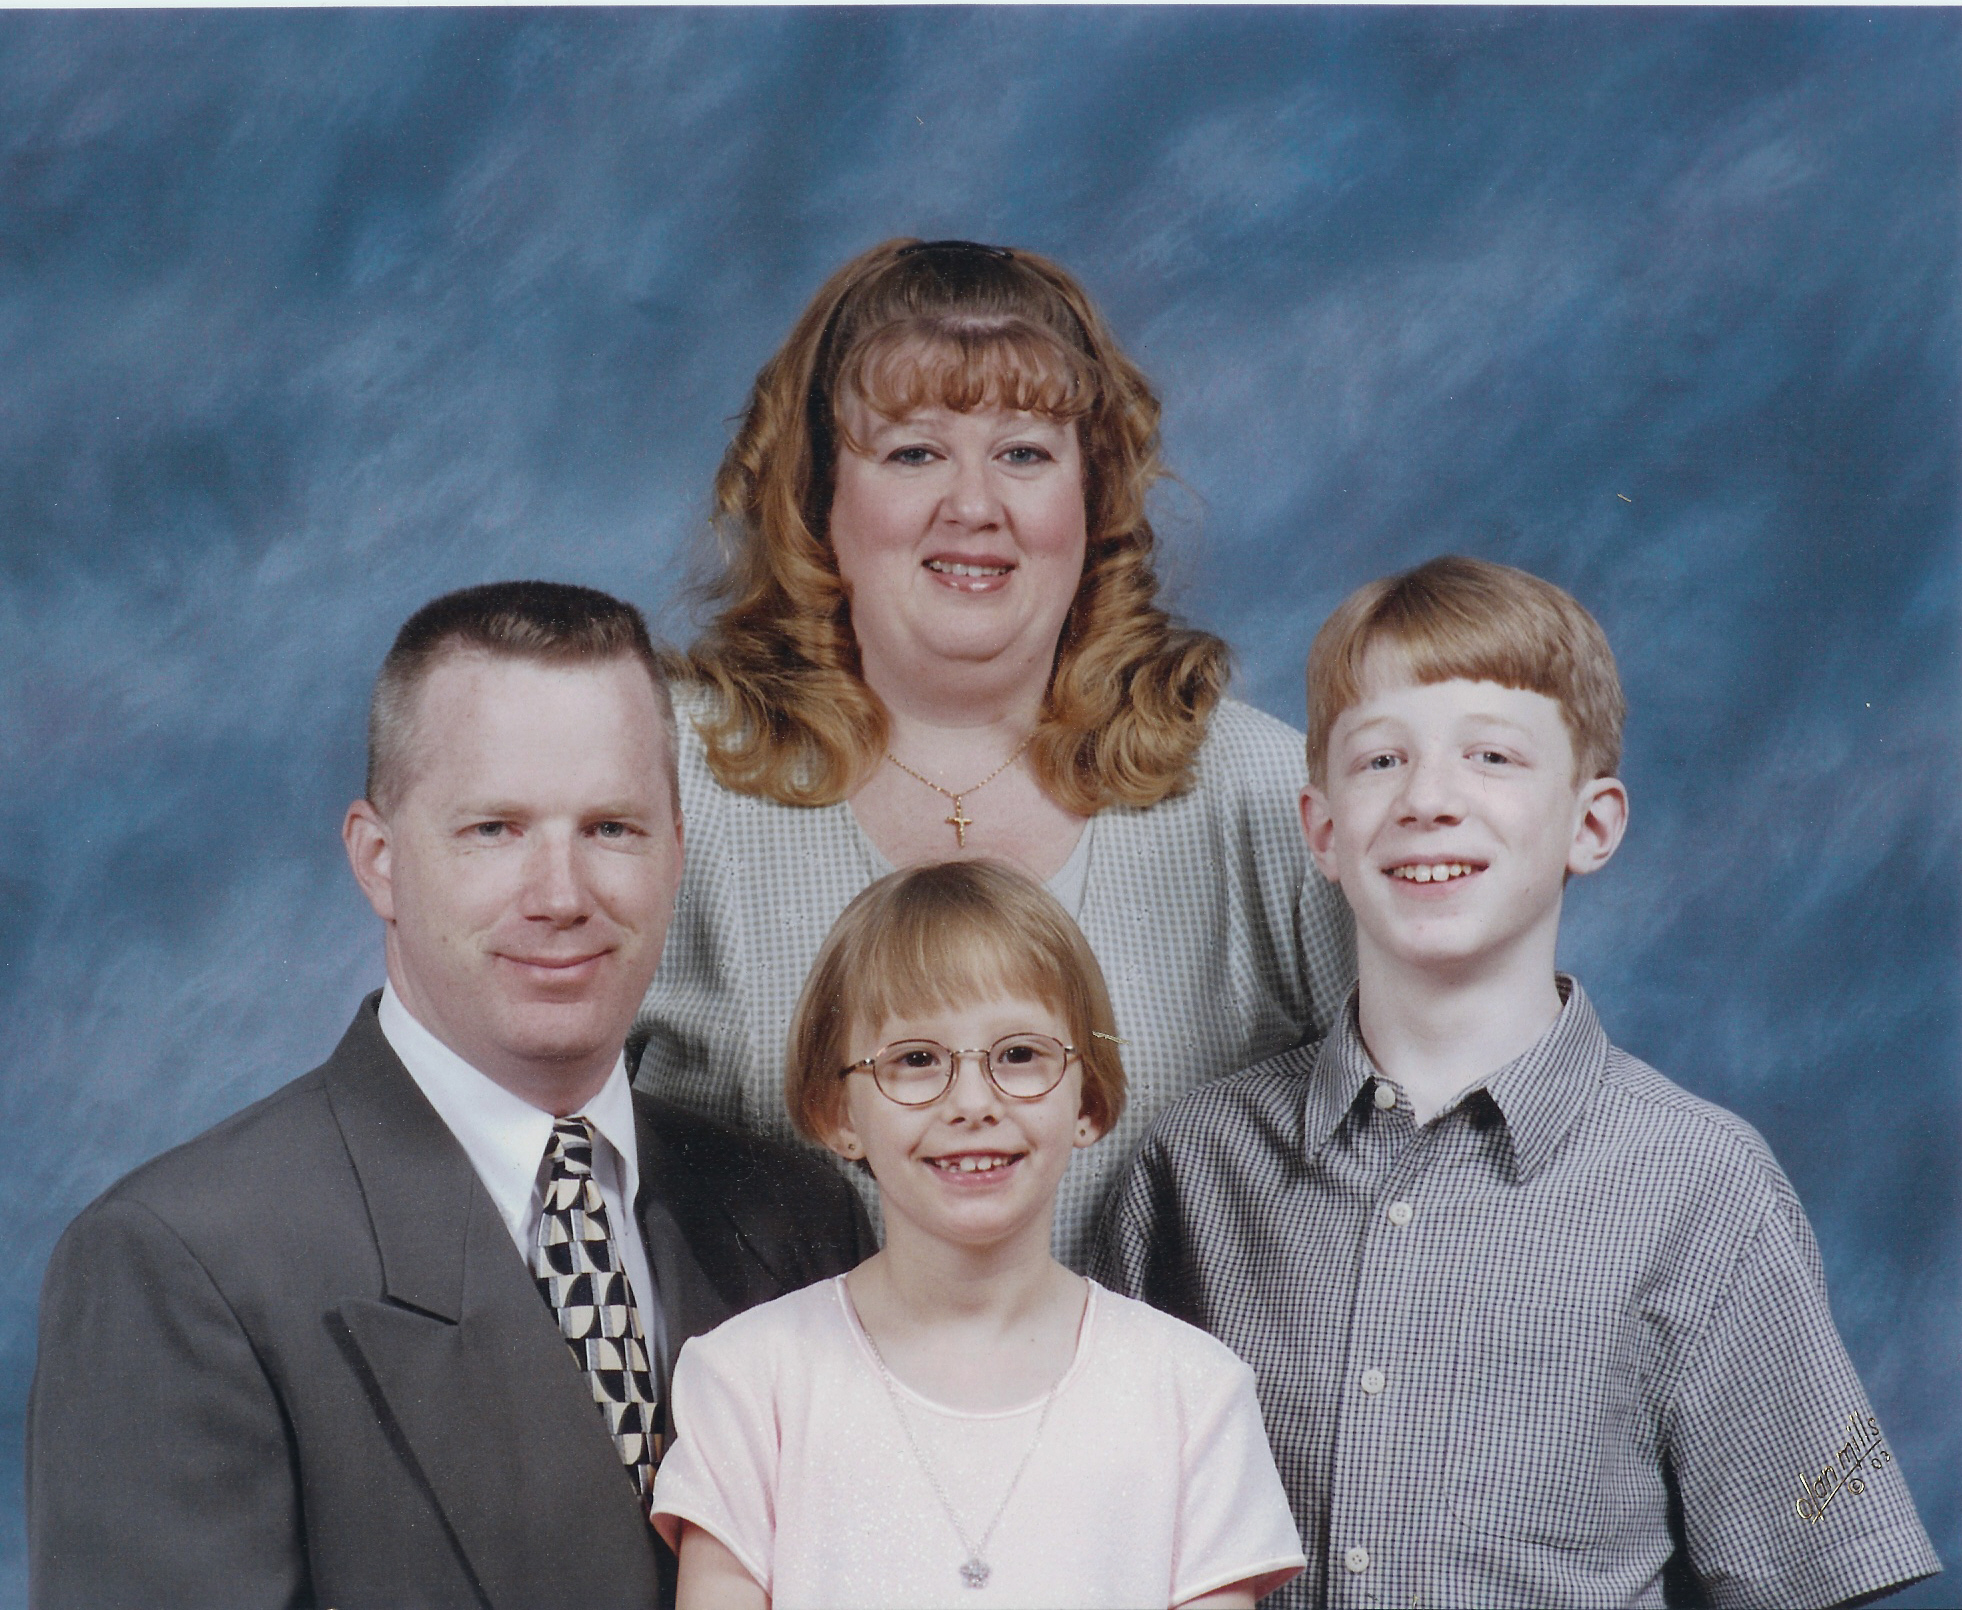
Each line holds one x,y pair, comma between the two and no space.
1769,1397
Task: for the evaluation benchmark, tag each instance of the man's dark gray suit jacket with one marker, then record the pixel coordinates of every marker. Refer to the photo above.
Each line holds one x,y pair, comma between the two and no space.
299,1362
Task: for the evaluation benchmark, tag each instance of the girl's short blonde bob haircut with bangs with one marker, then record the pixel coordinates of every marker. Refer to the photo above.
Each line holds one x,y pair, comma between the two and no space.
943,936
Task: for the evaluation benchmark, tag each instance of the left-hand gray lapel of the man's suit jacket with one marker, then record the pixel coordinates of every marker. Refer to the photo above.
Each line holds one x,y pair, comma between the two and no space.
468,1364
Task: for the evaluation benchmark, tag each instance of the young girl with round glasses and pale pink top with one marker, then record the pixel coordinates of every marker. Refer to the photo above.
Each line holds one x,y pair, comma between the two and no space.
962,1421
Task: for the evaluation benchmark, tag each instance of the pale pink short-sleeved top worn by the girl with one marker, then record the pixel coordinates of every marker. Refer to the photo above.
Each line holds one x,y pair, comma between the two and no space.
1151,1482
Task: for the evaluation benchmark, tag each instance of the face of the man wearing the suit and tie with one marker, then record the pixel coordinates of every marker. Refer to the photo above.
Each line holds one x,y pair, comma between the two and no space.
529,868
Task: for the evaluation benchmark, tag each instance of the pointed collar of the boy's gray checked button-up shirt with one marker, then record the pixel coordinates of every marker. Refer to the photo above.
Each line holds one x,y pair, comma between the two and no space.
1537,1095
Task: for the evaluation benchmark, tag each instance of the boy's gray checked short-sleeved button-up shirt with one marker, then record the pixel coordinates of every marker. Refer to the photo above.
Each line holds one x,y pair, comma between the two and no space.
1565,1346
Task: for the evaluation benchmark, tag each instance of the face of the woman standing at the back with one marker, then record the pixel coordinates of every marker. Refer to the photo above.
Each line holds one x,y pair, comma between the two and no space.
958,536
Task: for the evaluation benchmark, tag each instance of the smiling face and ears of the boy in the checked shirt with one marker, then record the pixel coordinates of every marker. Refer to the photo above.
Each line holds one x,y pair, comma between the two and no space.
1451,817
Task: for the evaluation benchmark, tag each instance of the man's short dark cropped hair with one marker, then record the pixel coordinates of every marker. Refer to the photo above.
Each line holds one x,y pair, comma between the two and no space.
546,623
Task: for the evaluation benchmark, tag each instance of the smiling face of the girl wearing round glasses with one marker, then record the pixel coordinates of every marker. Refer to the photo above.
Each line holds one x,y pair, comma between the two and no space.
974,1168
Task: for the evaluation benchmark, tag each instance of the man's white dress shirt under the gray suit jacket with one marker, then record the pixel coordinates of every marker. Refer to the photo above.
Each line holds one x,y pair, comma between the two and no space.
505,1138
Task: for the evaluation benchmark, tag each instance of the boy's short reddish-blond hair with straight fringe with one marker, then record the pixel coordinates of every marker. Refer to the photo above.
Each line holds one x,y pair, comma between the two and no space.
1484,623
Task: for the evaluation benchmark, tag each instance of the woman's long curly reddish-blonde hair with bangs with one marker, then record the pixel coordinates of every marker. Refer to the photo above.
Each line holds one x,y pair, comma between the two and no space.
960,327
